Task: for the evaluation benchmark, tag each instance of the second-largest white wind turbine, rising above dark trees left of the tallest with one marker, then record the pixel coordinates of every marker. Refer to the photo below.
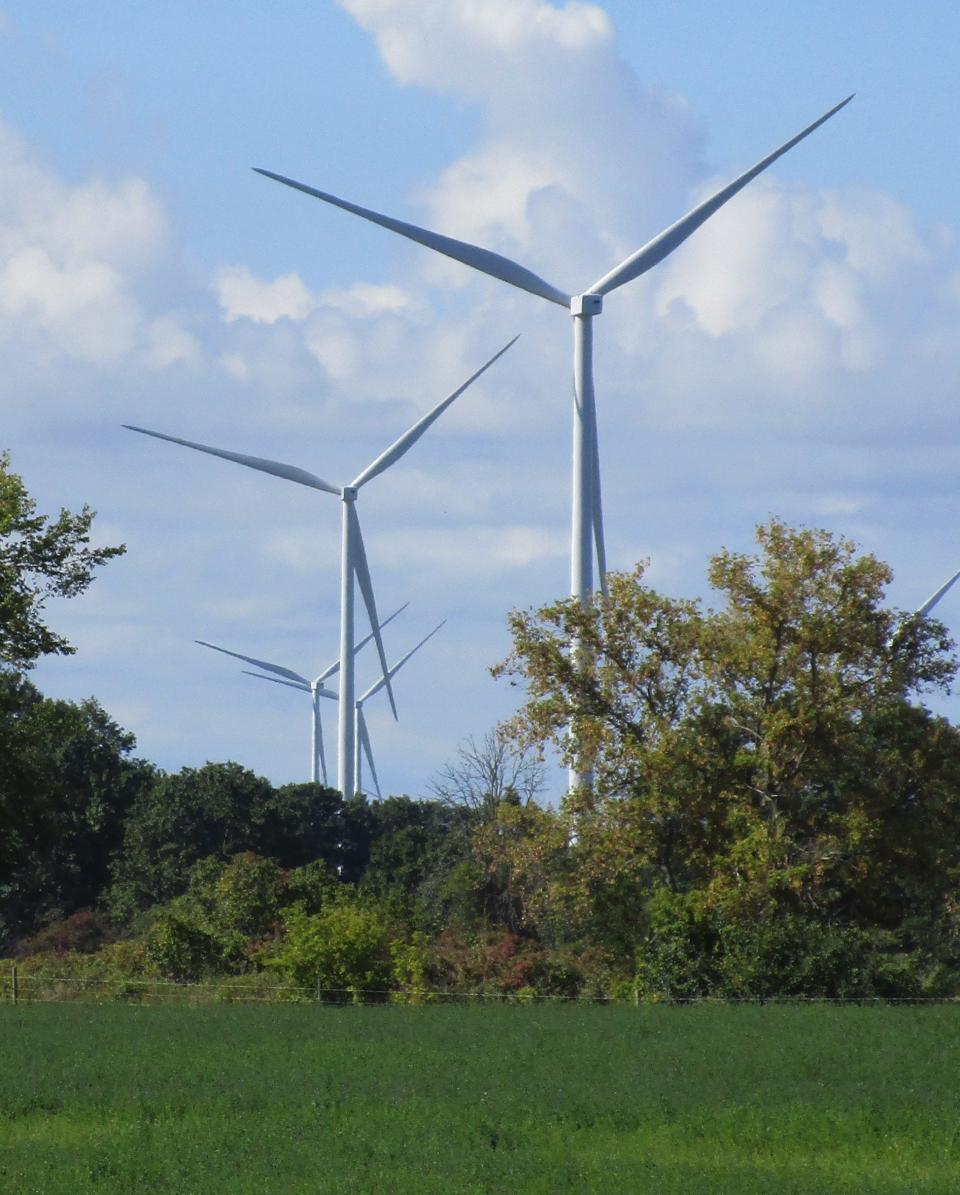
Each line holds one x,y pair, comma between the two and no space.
353,555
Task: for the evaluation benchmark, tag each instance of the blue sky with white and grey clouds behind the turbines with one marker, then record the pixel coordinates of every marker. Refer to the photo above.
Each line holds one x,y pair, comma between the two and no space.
798,358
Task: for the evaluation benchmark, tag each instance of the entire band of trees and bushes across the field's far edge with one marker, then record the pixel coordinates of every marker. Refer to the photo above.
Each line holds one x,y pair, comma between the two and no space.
774,811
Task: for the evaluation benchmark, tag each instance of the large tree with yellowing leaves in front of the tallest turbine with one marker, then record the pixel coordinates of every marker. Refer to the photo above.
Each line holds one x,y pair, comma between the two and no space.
767,783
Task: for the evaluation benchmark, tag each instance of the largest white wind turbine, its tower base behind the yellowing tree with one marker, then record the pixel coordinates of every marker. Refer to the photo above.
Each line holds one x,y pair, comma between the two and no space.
588,520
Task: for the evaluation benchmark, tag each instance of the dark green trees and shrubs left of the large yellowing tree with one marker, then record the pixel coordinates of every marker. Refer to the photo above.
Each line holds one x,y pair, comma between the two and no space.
114,869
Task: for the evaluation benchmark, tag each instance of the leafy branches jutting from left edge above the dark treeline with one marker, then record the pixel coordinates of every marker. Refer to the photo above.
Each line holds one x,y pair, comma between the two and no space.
39,560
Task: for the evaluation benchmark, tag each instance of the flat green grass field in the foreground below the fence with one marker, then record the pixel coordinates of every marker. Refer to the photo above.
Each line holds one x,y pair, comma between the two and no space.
475,1100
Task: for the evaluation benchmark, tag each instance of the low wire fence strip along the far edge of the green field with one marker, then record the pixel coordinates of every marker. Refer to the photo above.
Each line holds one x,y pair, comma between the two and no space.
50,989
